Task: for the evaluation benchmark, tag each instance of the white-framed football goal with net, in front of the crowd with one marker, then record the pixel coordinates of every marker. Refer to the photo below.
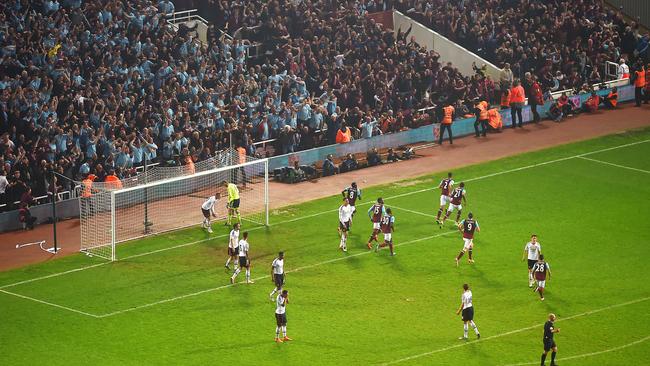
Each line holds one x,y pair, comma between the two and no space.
111,216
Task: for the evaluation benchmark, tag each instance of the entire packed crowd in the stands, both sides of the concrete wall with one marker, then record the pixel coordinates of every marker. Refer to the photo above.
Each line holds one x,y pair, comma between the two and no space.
98,87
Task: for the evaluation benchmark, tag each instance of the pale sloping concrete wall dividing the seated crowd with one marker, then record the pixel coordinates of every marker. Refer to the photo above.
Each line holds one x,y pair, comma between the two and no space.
448,50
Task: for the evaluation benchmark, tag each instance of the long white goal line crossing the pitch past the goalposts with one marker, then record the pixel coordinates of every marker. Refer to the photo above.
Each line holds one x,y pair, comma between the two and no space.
329,211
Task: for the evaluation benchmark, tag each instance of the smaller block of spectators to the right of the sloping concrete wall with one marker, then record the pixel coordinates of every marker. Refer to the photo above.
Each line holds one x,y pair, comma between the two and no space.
565,43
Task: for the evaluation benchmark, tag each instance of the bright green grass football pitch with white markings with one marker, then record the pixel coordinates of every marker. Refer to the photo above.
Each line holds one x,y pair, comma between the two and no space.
168,300
